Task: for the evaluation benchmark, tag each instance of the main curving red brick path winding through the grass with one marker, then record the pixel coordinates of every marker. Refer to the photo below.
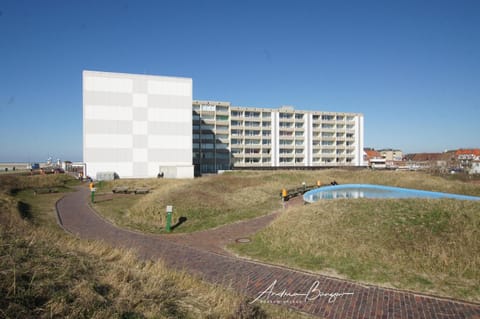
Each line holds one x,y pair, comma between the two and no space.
253,279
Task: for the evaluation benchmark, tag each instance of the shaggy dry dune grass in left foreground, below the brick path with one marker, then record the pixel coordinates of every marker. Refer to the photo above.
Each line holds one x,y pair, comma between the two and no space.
47,273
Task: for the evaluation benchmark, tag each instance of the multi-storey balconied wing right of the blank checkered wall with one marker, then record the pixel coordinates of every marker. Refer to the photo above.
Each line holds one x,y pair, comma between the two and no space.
264,137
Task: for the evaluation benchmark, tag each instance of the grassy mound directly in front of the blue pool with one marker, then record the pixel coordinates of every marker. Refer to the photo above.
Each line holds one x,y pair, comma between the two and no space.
424,245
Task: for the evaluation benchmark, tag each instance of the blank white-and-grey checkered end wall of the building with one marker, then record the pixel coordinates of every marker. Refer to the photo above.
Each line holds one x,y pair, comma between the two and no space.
135,124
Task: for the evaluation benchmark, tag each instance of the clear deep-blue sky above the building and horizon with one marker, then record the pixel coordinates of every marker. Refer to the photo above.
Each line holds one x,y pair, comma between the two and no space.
411,67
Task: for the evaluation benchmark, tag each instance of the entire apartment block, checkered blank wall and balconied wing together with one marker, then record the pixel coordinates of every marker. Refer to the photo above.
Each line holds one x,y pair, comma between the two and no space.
141,126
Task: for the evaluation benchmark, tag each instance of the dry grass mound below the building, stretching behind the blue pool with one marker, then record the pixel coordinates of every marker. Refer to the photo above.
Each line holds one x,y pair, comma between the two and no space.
217,200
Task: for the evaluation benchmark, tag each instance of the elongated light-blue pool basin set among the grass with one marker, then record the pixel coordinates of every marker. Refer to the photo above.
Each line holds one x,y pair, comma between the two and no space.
375,191
